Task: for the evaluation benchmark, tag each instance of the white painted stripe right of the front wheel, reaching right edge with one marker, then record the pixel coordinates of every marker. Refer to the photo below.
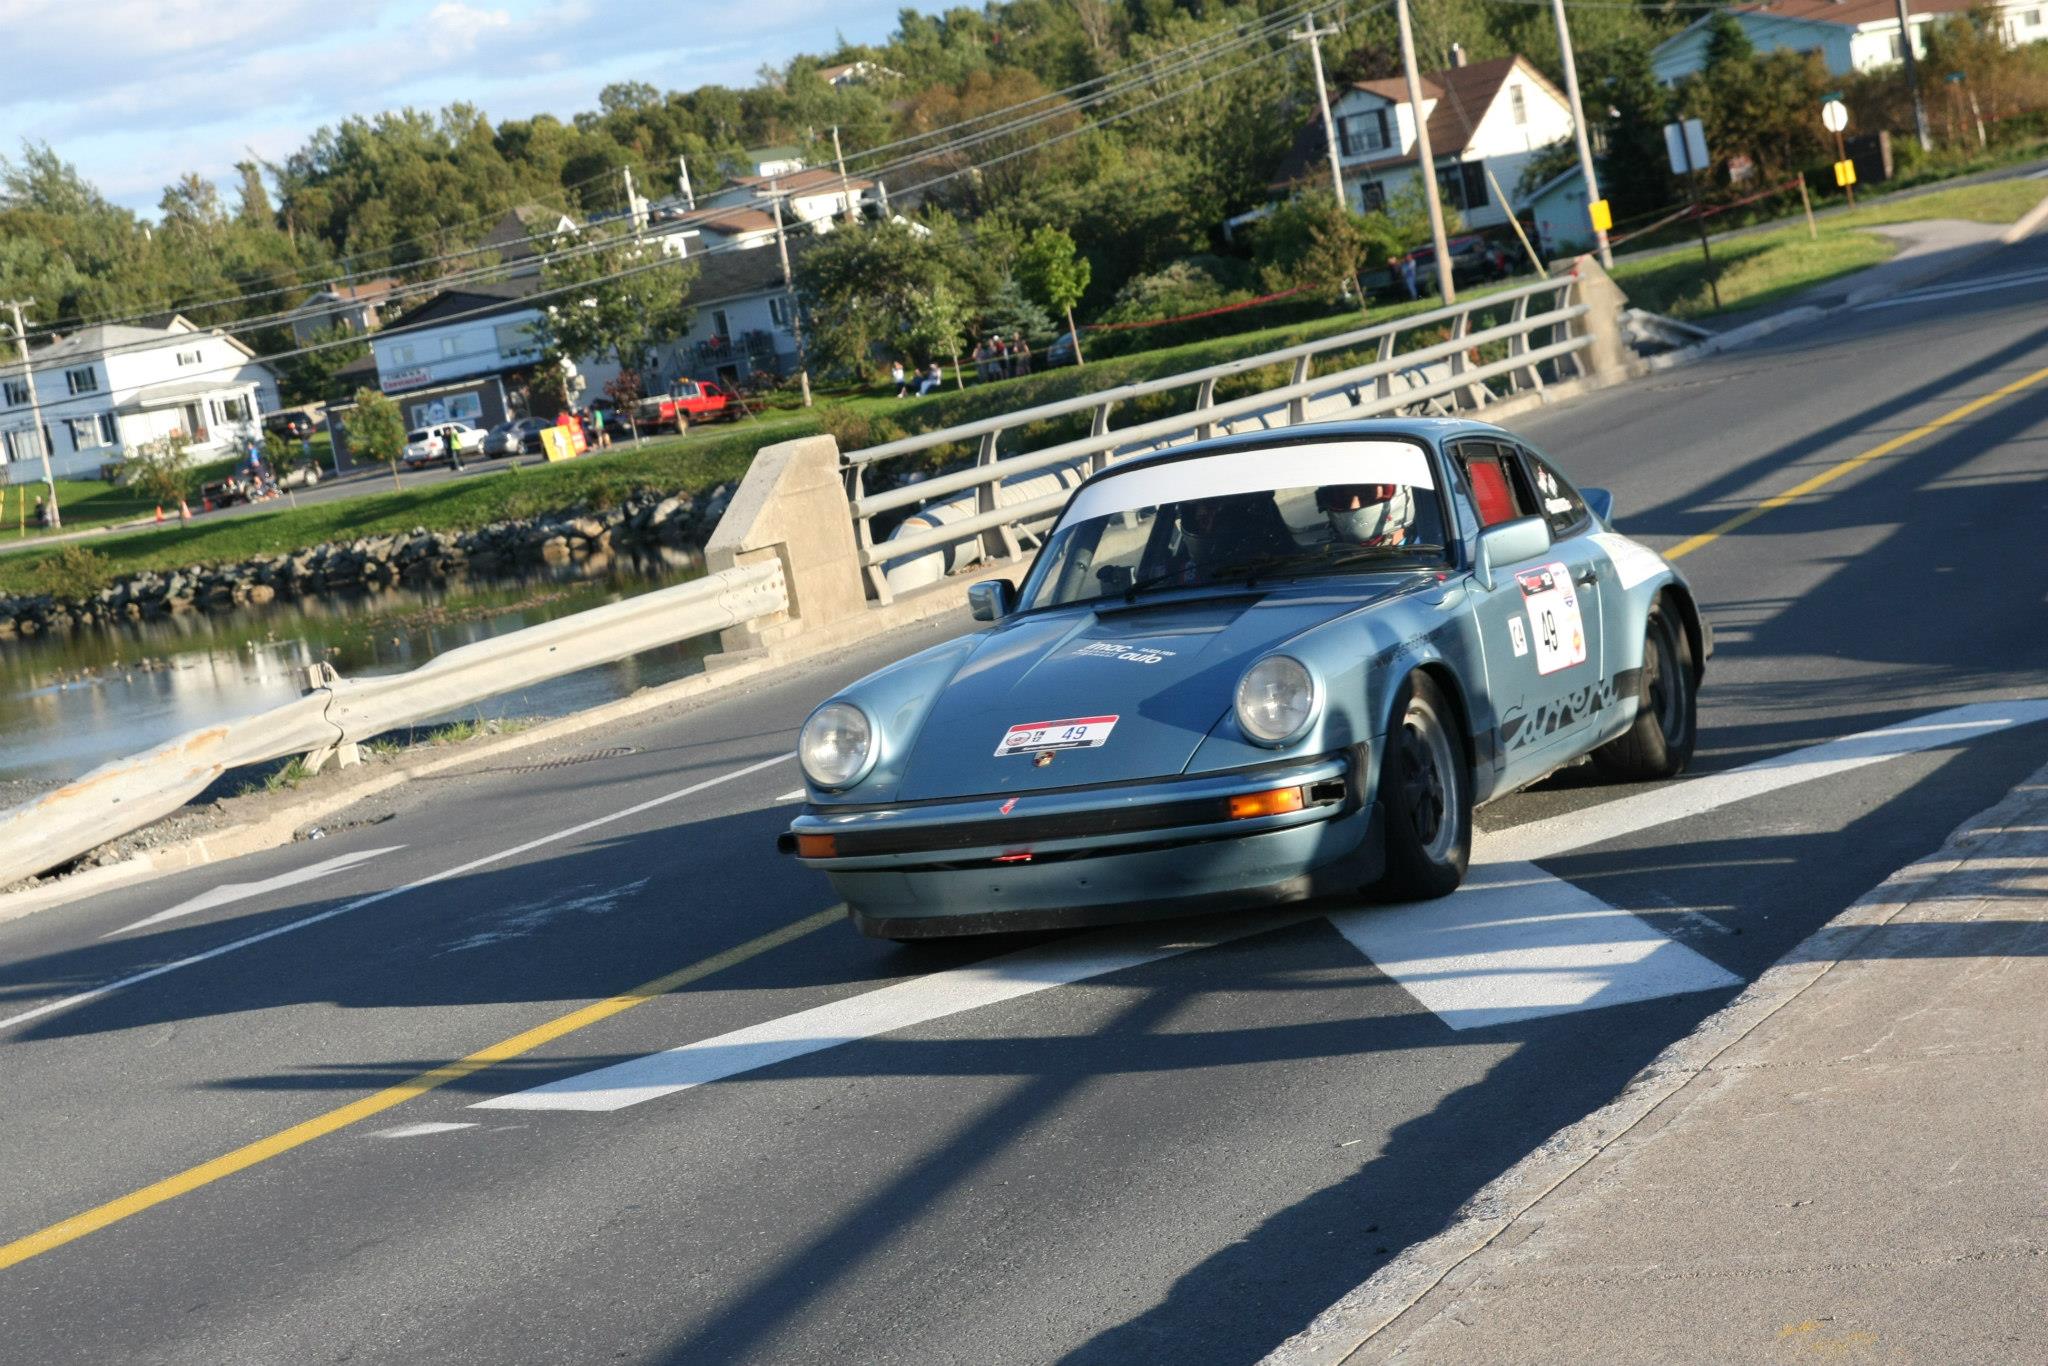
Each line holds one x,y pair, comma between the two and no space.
1699,796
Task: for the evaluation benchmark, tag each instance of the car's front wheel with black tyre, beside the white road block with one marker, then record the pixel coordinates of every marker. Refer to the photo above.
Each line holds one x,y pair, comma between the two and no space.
1426,798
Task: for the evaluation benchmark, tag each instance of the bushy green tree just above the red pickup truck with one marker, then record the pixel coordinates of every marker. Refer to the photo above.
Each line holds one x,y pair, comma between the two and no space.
615,302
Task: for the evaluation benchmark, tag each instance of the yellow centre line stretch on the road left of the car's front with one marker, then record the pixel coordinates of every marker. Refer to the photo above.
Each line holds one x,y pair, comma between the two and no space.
323,1125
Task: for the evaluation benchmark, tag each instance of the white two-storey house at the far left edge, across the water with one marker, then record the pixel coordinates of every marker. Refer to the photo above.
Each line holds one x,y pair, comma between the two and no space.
114,388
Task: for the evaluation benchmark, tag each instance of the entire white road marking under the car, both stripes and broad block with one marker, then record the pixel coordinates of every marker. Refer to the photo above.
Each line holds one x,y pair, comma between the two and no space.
1512,945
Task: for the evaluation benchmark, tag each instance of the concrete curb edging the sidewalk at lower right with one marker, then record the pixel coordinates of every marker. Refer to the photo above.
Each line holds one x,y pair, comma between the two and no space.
1394,1291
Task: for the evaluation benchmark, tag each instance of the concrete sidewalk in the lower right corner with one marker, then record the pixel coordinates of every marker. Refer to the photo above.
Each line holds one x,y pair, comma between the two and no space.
1848,1164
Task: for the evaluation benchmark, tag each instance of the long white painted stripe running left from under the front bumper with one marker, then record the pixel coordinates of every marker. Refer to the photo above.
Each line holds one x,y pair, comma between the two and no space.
876,1013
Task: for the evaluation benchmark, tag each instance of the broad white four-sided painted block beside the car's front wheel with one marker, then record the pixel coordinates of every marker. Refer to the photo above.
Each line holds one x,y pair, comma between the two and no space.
1517,943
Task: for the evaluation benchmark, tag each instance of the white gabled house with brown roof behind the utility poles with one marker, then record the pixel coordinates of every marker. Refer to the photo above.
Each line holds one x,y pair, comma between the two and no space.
1484,118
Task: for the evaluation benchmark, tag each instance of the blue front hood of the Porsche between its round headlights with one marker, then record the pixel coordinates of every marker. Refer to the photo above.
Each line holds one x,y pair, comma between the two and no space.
1164,671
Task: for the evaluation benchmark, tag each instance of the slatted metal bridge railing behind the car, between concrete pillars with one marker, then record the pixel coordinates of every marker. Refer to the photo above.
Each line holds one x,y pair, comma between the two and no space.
1433,372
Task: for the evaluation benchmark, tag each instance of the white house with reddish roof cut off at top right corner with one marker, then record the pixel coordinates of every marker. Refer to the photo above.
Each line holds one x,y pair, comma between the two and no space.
1852,36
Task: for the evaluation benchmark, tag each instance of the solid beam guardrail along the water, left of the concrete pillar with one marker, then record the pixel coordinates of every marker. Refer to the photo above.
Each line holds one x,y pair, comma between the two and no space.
345,712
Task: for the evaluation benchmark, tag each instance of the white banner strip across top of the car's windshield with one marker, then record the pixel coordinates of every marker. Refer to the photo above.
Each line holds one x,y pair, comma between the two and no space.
1252,472
